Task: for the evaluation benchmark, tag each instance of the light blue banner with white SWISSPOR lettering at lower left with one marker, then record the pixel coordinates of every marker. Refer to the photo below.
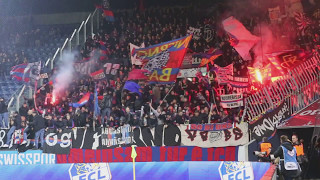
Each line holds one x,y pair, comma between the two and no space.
29,157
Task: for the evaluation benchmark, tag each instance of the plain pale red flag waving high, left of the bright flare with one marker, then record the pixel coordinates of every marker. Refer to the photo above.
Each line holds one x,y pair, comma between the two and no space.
241,39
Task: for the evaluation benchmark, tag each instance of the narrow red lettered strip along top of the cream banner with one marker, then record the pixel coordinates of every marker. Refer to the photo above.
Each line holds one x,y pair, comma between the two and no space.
210,127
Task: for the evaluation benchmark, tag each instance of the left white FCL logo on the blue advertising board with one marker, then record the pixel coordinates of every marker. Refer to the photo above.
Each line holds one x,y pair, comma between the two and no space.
90,171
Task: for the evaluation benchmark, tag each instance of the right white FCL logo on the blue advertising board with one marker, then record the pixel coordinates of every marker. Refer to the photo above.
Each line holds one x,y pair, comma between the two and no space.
236,171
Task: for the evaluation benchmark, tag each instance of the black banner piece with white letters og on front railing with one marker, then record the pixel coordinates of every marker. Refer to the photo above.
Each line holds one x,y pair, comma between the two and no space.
57,143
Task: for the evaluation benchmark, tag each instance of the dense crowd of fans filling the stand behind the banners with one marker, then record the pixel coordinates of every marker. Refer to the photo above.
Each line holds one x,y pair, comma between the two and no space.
186,101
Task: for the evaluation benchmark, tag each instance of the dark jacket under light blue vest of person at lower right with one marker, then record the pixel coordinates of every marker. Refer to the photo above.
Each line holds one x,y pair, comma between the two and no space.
279,153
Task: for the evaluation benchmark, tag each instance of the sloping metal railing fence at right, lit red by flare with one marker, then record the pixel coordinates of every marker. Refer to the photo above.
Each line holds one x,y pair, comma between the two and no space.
300,87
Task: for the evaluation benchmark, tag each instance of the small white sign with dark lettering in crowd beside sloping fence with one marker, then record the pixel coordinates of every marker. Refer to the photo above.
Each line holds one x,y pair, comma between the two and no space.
231,100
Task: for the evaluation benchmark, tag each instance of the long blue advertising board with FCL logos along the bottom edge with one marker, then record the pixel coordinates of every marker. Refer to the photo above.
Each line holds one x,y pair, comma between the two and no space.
144,170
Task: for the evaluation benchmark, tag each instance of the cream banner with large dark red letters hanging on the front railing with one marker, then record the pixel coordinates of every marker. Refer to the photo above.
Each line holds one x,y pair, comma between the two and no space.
228,137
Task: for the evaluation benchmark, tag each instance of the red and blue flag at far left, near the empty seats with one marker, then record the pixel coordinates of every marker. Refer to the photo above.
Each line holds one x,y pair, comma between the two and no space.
26,72
